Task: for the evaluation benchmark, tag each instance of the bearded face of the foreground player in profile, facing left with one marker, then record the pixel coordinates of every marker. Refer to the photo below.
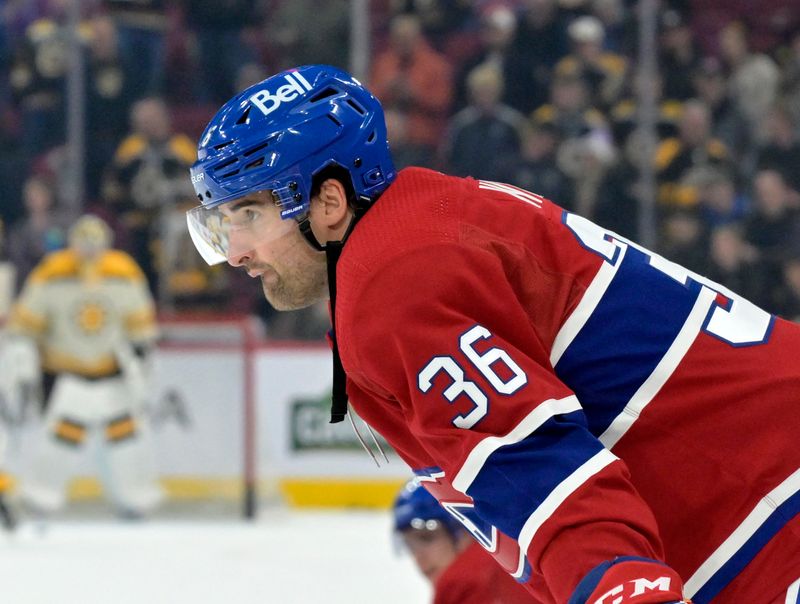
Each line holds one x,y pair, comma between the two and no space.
292,274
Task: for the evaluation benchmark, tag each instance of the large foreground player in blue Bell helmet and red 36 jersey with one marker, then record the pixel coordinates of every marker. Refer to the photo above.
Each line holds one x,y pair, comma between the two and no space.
609,425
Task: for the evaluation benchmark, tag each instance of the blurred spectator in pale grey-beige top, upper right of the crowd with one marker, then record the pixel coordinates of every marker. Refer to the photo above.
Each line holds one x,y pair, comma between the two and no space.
753,79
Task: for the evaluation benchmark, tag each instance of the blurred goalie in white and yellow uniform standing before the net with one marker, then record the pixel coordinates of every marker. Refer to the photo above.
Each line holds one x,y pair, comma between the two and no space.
90,312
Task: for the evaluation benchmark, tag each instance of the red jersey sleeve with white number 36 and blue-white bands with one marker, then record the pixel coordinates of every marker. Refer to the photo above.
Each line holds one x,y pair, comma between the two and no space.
442,330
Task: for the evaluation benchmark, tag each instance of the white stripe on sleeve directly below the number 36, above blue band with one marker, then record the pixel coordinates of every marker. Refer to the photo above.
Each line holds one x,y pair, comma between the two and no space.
478,456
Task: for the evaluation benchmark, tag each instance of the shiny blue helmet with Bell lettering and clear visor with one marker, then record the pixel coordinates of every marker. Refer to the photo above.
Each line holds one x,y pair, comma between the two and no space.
277,136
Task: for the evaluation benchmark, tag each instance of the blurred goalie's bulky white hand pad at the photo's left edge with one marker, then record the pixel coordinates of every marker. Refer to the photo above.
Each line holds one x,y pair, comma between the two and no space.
20,377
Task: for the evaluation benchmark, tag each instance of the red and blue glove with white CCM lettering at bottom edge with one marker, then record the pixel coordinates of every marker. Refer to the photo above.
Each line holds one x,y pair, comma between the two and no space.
630,580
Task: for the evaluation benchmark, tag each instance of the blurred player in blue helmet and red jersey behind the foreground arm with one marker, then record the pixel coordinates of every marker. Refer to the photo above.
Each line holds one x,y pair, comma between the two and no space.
459,569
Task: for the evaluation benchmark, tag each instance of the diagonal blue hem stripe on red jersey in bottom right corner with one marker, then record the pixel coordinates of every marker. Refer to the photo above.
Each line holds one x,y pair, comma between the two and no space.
776,521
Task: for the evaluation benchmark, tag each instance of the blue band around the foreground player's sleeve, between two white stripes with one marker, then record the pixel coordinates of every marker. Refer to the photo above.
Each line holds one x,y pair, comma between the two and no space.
533,468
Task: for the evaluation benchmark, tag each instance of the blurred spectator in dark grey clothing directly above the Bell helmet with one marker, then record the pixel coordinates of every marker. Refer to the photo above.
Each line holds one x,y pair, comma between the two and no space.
295,43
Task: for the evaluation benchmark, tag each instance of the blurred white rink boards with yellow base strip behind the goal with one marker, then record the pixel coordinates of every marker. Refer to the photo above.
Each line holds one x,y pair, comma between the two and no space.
204,399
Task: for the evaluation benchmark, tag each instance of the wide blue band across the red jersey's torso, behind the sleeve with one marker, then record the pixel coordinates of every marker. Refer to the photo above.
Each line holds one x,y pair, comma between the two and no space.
626,336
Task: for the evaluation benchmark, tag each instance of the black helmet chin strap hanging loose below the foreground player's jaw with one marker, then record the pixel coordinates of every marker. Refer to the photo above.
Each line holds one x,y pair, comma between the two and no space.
333,249
